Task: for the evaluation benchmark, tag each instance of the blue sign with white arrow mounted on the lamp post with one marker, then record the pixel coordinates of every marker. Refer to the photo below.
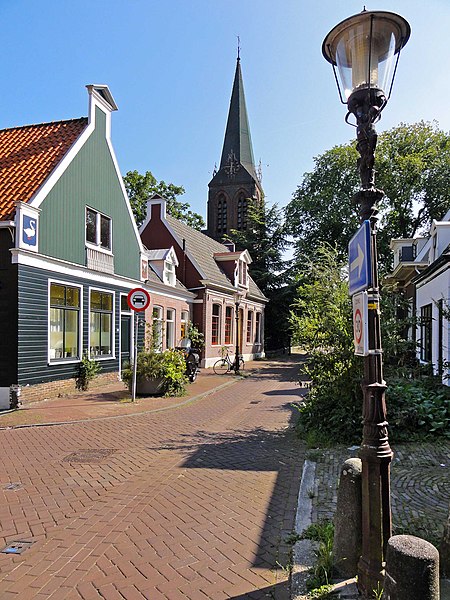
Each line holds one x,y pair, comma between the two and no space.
360,260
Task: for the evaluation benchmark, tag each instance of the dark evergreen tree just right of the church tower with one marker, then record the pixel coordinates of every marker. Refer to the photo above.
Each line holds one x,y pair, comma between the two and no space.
266,240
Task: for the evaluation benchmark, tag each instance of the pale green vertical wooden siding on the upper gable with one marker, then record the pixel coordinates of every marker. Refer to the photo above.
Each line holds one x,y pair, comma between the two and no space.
90,180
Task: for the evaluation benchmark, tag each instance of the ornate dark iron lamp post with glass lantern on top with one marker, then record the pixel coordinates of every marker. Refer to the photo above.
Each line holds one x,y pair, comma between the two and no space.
365,49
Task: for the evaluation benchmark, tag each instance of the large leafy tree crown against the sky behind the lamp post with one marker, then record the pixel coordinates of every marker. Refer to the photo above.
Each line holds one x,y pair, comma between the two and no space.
413,169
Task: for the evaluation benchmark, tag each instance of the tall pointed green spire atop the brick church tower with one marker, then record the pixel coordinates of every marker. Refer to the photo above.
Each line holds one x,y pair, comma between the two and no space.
237,146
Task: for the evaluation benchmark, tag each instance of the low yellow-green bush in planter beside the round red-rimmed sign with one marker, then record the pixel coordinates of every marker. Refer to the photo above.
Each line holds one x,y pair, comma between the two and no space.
170,365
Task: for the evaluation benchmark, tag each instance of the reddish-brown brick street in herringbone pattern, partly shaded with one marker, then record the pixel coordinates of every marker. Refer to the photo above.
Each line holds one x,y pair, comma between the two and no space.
195,502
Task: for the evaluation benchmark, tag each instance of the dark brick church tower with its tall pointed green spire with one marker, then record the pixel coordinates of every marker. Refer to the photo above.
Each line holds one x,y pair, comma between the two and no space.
236,181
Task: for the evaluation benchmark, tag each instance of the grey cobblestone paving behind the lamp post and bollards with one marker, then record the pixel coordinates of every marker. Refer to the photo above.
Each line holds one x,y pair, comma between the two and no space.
420,486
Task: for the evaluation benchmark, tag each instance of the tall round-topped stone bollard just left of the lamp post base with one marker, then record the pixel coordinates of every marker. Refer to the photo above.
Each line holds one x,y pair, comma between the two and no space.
348,520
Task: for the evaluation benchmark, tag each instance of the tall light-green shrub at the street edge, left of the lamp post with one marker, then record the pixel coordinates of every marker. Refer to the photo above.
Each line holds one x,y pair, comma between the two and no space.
321,321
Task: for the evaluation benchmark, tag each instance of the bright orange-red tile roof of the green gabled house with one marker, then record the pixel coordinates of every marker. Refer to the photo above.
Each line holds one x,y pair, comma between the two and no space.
27,157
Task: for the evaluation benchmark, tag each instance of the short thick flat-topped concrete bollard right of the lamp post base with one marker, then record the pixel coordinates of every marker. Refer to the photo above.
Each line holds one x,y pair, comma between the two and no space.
412,569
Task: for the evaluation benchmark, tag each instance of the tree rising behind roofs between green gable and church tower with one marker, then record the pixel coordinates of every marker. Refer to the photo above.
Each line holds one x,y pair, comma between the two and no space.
141,187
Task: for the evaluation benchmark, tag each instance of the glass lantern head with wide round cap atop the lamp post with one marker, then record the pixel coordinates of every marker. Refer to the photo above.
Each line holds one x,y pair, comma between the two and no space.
363,48
